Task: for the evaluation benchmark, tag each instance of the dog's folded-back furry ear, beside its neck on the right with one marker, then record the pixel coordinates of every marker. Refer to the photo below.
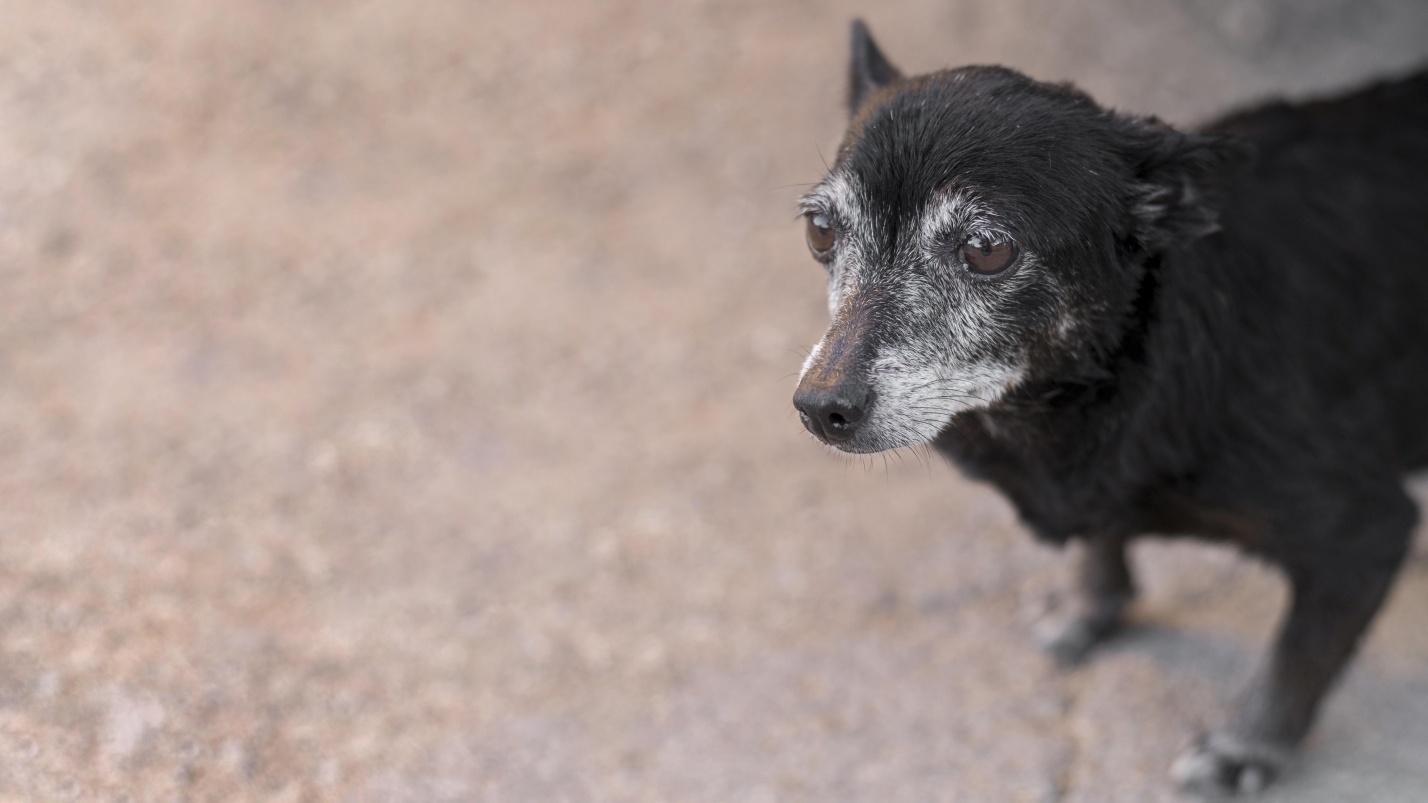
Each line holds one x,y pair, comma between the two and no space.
1179,181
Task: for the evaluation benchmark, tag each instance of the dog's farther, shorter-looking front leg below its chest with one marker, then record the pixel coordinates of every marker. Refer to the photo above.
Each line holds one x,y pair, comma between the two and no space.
1100,591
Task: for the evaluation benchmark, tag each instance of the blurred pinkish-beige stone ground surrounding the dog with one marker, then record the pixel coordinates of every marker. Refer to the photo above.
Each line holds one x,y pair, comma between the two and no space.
395,407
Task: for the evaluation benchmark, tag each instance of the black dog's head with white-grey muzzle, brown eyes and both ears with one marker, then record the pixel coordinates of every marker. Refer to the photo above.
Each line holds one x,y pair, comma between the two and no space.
983,231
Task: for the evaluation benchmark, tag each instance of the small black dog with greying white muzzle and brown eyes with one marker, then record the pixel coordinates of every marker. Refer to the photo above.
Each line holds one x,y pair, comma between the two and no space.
1130,329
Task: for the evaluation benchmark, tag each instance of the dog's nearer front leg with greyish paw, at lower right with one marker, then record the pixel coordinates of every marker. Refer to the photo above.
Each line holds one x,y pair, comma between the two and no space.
1337,587
